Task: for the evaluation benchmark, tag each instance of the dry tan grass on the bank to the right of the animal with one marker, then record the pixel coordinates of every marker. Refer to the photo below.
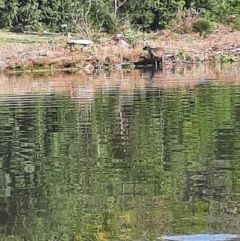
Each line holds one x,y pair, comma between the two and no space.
193,49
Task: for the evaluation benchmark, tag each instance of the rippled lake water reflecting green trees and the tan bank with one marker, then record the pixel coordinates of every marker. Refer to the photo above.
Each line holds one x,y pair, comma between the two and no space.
124,156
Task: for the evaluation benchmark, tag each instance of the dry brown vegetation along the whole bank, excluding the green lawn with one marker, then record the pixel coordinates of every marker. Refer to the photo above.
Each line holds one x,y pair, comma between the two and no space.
219,46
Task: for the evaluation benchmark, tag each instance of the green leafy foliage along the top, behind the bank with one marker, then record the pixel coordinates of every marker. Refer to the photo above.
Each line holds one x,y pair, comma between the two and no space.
108,16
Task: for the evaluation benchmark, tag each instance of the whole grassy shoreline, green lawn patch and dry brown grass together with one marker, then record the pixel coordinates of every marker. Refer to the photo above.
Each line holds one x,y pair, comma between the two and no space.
36,52
